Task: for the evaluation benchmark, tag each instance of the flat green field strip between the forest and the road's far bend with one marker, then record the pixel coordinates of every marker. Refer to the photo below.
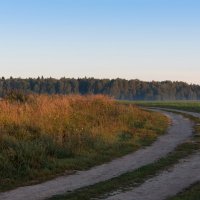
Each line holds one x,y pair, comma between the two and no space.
193,106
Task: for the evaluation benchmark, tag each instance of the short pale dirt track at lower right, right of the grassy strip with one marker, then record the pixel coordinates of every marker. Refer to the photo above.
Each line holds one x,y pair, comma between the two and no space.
166,184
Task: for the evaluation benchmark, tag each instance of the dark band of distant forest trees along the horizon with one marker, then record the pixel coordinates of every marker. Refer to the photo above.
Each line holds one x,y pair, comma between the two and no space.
117,88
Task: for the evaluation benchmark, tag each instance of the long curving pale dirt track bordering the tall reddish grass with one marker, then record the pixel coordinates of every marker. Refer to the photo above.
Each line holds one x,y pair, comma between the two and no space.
180,131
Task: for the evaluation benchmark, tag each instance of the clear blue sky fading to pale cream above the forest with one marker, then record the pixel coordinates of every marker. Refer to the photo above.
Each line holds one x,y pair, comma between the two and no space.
132,39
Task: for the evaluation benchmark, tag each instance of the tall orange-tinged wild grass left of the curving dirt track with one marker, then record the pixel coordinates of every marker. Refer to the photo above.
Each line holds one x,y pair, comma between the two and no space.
44,136
